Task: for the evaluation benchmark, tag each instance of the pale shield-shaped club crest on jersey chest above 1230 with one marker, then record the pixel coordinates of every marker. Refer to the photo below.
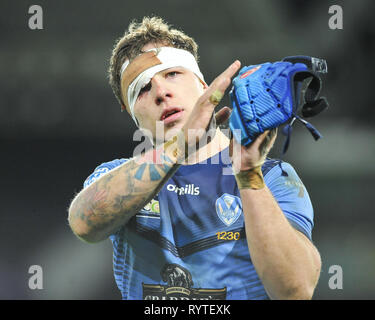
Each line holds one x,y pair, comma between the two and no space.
228,208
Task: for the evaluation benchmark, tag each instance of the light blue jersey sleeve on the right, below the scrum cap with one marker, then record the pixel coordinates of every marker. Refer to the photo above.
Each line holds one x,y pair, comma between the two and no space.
291,196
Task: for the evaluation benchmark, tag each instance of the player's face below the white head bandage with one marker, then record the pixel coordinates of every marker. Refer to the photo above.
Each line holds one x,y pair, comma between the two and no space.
169,98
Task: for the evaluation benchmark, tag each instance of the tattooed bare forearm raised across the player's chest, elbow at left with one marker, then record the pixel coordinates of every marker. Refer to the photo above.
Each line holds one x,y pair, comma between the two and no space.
108,203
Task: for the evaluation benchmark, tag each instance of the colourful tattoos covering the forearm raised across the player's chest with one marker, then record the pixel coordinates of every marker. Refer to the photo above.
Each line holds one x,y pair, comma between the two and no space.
104,203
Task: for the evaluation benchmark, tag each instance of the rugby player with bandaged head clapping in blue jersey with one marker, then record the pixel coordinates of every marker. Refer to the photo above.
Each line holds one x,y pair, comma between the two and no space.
180,227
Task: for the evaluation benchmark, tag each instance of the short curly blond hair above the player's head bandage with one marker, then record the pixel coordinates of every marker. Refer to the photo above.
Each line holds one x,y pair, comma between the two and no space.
150,30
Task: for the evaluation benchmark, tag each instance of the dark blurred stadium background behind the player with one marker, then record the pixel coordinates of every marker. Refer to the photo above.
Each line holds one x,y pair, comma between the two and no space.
59,120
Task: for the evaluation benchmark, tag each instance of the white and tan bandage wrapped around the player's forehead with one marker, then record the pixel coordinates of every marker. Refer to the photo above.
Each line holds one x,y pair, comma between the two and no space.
138,73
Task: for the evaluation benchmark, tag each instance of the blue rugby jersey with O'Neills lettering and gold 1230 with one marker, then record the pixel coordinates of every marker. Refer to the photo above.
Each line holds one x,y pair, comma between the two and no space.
189,242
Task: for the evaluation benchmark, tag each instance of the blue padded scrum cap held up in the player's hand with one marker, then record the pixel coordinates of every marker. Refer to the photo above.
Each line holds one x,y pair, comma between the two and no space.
263,97
